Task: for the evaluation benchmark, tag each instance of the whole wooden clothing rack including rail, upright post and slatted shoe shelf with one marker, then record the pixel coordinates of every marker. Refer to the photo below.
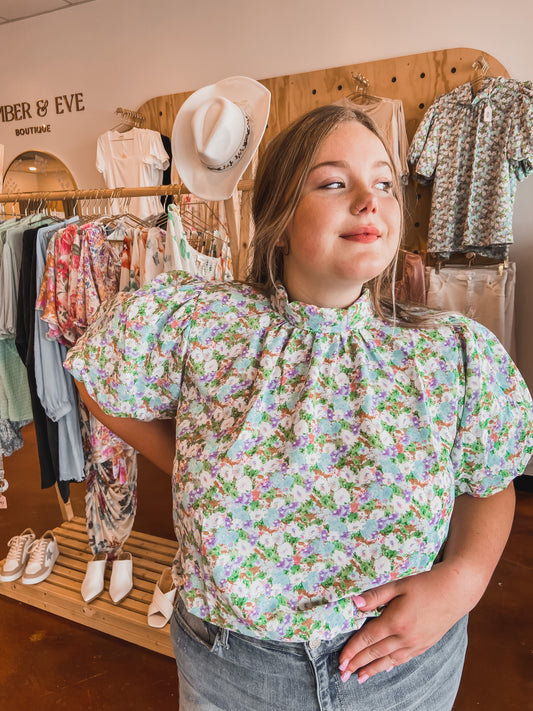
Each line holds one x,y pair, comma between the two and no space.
60,592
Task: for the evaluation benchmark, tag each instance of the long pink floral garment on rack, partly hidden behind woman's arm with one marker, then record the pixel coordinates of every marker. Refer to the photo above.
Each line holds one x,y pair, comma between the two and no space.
81,271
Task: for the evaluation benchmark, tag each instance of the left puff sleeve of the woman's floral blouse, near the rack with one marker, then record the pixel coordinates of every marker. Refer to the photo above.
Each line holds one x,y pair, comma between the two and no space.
131,358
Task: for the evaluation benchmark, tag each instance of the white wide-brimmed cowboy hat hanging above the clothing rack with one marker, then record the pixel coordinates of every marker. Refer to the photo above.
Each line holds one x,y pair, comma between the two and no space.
216,133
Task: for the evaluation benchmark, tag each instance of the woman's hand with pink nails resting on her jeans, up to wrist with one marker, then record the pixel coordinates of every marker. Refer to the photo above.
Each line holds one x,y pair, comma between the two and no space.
419,610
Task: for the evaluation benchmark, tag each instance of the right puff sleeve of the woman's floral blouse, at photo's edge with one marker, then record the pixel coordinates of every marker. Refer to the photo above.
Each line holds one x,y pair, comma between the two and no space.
494,439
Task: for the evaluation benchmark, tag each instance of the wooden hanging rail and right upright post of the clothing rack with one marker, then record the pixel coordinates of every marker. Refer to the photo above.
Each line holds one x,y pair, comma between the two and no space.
236,232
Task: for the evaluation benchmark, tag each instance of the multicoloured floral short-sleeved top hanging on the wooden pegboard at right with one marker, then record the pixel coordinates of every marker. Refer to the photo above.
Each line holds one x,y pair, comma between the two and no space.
475,149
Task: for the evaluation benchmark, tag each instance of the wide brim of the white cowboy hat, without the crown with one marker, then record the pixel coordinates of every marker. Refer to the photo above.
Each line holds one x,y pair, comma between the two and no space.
254,100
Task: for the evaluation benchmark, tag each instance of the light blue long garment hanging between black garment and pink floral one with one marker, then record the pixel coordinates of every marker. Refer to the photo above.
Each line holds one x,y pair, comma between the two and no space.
55,386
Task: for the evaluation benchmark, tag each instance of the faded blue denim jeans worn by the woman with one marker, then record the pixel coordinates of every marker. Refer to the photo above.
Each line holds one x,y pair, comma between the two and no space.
220,670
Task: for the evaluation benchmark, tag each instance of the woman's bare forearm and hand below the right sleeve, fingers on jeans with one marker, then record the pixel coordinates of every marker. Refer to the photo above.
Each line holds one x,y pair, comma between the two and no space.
420,609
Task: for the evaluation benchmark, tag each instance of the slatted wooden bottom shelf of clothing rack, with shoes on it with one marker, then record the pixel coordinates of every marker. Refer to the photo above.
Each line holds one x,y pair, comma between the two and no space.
60,593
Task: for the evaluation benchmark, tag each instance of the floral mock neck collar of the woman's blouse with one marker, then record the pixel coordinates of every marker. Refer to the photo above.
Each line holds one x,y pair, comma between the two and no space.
319,319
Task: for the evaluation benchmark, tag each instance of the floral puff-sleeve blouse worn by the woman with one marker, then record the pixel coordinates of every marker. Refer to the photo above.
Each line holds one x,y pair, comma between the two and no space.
318,451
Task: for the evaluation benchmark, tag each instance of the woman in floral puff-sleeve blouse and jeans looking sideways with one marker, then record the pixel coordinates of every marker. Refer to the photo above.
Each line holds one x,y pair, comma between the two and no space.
326,444
